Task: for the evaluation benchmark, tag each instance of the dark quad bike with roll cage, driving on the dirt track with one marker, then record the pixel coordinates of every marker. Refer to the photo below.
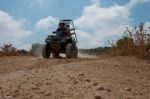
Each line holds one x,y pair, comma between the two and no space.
57,43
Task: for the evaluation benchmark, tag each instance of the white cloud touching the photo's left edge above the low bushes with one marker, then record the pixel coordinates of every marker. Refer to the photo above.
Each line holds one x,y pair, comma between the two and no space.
12,30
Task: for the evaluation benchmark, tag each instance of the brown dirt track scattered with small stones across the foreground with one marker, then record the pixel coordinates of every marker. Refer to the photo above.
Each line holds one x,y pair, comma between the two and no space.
100,78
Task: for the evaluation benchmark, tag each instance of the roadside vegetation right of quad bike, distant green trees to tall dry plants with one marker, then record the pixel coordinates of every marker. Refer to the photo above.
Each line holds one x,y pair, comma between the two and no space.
135,42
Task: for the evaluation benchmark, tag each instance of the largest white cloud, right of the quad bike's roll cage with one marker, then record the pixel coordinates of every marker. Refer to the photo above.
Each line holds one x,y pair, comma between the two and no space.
98,24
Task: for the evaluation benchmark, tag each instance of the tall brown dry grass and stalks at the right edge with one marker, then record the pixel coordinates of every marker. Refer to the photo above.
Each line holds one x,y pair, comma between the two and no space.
134,43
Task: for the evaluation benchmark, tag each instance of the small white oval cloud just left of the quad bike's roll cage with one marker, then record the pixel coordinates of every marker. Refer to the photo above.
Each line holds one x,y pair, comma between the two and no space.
46,23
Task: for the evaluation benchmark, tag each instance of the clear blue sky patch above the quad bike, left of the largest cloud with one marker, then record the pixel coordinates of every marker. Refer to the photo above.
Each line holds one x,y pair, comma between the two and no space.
33,10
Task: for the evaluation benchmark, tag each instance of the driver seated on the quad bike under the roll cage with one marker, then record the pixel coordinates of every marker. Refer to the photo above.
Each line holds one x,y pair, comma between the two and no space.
64,31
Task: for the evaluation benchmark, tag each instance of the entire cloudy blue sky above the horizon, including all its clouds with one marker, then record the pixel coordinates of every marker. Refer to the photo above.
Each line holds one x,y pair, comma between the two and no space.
31,20
